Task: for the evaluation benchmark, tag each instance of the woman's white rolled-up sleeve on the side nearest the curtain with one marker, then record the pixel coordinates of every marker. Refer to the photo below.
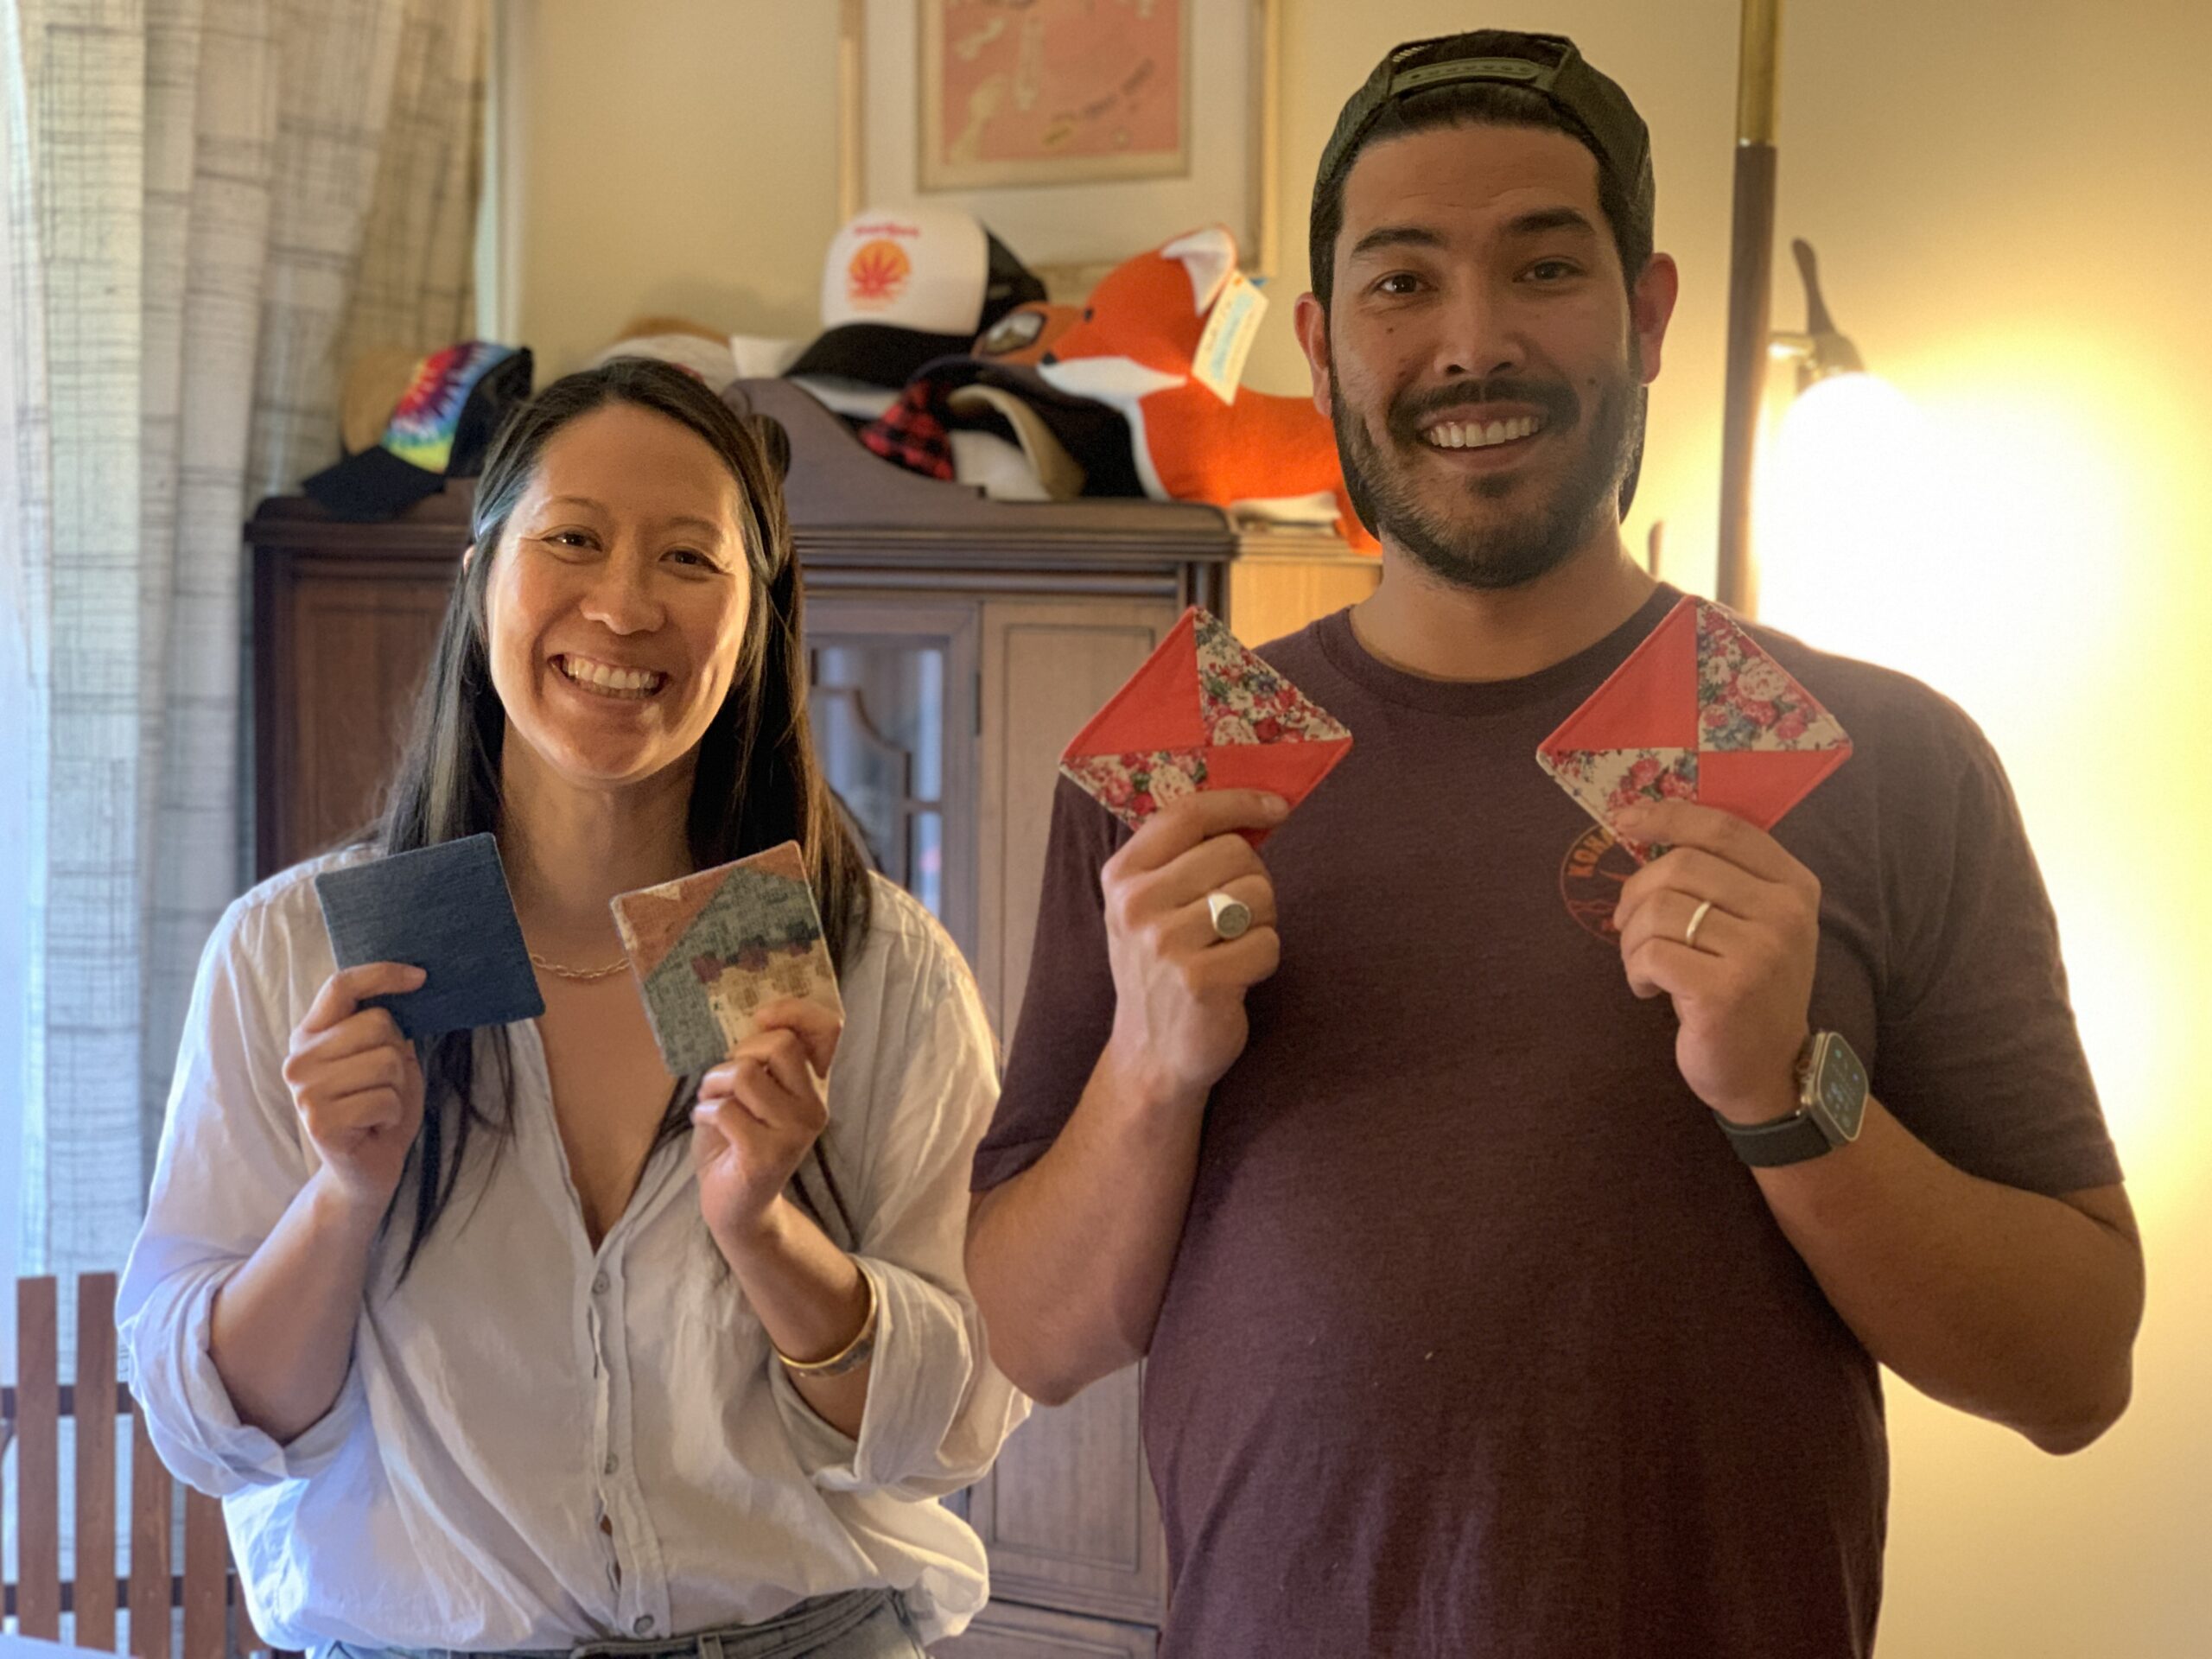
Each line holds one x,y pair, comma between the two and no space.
231,1162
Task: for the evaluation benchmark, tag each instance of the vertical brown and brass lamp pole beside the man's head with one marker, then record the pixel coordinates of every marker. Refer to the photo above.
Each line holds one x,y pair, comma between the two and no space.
1751,286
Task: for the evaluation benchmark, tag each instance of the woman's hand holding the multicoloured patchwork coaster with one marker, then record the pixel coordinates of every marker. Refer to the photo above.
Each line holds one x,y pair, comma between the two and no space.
758,1116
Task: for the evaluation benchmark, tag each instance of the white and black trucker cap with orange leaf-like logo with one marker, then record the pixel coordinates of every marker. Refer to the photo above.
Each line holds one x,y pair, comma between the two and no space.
904,286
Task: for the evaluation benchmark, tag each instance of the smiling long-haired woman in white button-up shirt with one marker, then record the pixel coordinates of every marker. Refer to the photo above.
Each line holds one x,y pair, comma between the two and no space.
521,1344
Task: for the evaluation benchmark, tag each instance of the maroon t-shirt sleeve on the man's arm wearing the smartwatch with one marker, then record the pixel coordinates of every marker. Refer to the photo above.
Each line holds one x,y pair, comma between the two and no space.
1979,1052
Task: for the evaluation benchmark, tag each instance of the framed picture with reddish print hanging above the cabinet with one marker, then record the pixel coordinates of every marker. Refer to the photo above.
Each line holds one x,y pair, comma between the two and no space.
1081,132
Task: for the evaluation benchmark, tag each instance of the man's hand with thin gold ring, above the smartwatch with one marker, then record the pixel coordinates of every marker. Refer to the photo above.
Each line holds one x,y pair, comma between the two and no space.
1744,990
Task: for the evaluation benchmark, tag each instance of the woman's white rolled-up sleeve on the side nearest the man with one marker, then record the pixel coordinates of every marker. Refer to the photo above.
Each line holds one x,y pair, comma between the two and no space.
937,1406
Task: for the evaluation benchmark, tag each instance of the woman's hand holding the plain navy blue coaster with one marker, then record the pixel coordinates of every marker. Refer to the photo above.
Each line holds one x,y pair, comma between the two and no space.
357,1085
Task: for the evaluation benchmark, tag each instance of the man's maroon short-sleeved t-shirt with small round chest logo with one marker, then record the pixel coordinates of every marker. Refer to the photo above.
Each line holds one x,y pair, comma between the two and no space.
1481,1342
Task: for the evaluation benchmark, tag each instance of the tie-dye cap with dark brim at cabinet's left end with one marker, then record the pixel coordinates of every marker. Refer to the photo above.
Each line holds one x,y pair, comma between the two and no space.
441,428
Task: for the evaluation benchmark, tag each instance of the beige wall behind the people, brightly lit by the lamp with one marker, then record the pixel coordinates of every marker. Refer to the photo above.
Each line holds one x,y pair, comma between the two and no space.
2010,200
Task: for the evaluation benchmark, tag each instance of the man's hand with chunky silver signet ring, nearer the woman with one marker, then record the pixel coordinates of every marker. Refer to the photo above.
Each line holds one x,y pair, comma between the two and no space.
1180,990
